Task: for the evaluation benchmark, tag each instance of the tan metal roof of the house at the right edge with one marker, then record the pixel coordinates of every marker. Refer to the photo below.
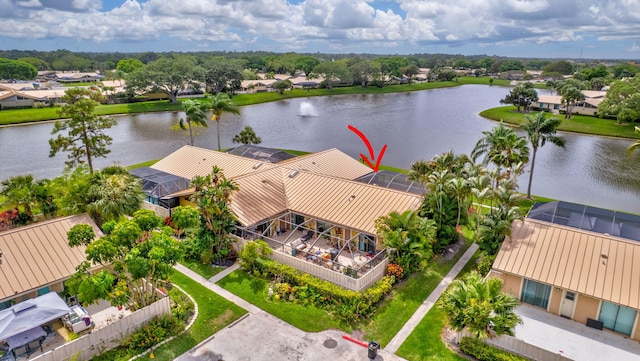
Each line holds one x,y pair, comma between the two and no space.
594,264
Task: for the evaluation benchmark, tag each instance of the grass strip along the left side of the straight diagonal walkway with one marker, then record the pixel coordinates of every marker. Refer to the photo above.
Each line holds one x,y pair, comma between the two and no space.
404,300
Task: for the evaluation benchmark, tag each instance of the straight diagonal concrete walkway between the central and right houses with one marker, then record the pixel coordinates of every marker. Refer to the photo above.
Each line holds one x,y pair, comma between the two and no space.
406,330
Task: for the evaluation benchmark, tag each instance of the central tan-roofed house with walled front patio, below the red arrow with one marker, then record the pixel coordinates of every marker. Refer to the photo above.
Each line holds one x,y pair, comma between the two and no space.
312,210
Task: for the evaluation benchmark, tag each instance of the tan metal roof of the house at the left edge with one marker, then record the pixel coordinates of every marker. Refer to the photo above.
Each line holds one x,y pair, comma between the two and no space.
39,254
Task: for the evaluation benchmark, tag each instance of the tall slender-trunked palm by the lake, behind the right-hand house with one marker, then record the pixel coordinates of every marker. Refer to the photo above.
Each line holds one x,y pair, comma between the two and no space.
541,130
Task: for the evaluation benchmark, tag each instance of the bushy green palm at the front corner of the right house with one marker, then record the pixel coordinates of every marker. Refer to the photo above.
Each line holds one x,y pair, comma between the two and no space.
479,305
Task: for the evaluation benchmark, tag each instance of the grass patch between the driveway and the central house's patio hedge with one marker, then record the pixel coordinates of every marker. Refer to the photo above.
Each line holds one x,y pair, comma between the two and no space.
255,290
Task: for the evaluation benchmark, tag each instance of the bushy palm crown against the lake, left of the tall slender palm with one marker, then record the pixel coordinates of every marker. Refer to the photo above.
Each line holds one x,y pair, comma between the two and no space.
502,147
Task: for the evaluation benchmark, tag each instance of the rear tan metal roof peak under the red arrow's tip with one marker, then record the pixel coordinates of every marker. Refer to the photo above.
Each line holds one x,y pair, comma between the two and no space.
331,162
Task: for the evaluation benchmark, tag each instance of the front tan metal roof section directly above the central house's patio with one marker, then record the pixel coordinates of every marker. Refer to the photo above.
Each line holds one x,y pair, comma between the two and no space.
339,201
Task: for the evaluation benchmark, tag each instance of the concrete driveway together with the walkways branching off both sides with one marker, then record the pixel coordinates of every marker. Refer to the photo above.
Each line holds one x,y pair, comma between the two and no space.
252,337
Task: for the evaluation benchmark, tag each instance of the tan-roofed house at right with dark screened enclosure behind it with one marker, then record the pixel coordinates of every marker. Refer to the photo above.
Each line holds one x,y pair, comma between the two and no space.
577,262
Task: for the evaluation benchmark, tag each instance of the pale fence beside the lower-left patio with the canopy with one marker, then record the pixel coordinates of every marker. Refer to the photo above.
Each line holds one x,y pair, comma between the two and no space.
108,337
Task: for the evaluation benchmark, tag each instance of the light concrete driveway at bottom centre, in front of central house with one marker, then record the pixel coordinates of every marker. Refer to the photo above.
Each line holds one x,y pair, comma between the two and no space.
262,337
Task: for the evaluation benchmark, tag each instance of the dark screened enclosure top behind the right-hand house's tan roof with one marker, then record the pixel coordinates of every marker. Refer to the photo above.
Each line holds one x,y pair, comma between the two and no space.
619,224
